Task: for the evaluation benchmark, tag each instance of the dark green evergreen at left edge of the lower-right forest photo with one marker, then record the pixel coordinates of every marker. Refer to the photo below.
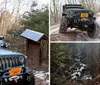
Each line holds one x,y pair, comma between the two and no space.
60,62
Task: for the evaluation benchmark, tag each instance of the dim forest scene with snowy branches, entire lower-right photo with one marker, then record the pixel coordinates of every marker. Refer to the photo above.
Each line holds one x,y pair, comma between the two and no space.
75,64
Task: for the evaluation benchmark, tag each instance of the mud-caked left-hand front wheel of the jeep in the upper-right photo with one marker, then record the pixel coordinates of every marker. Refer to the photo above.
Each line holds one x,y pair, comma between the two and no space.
63,25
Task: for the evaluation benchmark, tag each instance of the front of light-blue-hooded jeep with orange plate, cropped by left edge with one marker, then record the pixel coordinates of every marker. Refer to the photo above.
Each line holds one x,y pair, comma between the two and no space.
13,70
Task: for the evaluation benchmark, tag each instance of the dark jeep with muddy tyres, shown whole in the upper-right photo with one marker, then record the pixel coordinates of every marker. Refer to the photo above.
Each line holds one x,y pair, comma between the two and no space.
76,16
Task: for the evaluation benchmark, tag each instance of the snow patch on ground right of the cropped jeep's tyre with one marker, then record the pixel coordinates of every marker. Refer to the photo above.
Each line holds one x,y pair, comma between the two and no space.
43,76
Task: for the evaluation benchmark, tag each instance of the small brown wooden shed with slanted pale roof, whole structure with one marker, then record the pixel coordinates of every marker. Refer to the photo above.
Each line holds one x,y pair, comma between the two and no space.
36,47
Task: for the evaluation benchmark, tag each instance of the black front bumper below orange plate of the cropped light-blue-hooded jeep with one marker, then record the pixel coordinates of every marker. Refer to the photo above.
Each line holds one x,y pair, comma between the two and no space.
15,79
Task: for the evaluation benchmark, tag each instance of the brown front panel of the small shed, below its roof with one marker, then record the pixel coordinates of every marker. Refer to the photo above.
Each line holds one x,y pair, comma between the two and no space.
33,54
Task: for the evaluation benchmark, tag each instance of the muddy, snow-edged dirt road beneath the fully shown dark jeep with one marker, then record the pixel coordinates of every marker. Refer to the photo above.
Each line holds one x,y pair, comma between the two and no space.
72,35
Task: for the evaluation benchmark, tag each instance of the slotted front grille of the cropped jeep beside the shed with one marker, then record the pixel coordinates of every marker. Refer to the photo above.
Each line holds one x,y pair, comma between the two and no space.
9,62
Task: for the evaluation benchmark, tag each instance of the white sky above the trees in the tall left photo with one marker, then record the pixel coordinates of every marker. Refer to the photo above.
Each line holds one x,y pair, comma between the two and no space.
25,4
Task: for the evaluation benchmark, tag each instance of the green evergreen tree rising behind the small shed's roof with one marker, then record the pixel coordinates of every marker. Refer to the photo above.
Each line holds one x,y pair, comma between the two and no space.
37,19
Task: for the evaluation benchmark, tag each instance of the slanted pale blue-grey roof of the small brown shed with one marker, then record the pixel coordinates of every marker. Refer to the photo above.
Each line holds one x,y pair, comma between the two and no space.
33,35
